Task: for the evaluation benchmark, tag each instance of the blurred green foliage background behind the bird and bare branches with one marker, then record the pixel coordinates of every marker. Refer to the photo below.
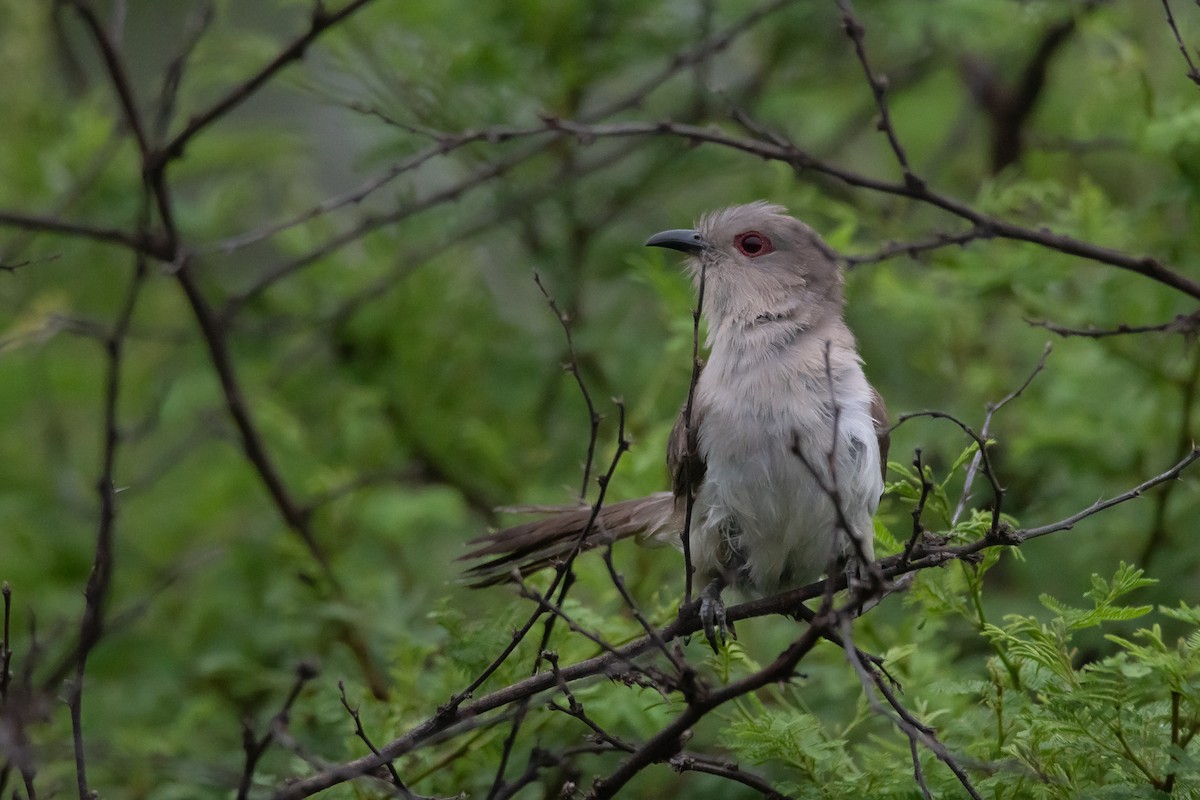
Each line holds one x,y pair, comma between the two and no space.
409,381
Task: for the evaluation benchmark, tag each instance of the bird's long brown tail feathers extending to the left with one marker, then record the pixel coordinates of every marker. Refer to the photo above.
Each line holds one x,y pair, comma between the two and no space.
549,542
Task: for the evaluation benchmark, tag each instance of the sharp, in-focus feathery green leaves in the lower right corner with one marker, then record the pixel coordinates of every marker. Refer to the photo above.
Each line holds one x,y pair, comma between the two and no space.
1063,726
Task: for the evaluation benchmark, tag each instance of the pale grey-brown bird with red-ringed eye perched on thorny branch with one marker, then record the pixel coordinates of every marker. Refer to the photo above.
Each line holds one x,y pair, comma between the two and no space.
783,454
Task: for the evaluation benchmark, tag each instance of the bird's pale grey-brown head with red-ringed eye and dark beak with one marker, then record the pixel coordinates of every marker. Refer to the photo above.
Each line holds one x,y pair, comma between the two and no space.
759,264
